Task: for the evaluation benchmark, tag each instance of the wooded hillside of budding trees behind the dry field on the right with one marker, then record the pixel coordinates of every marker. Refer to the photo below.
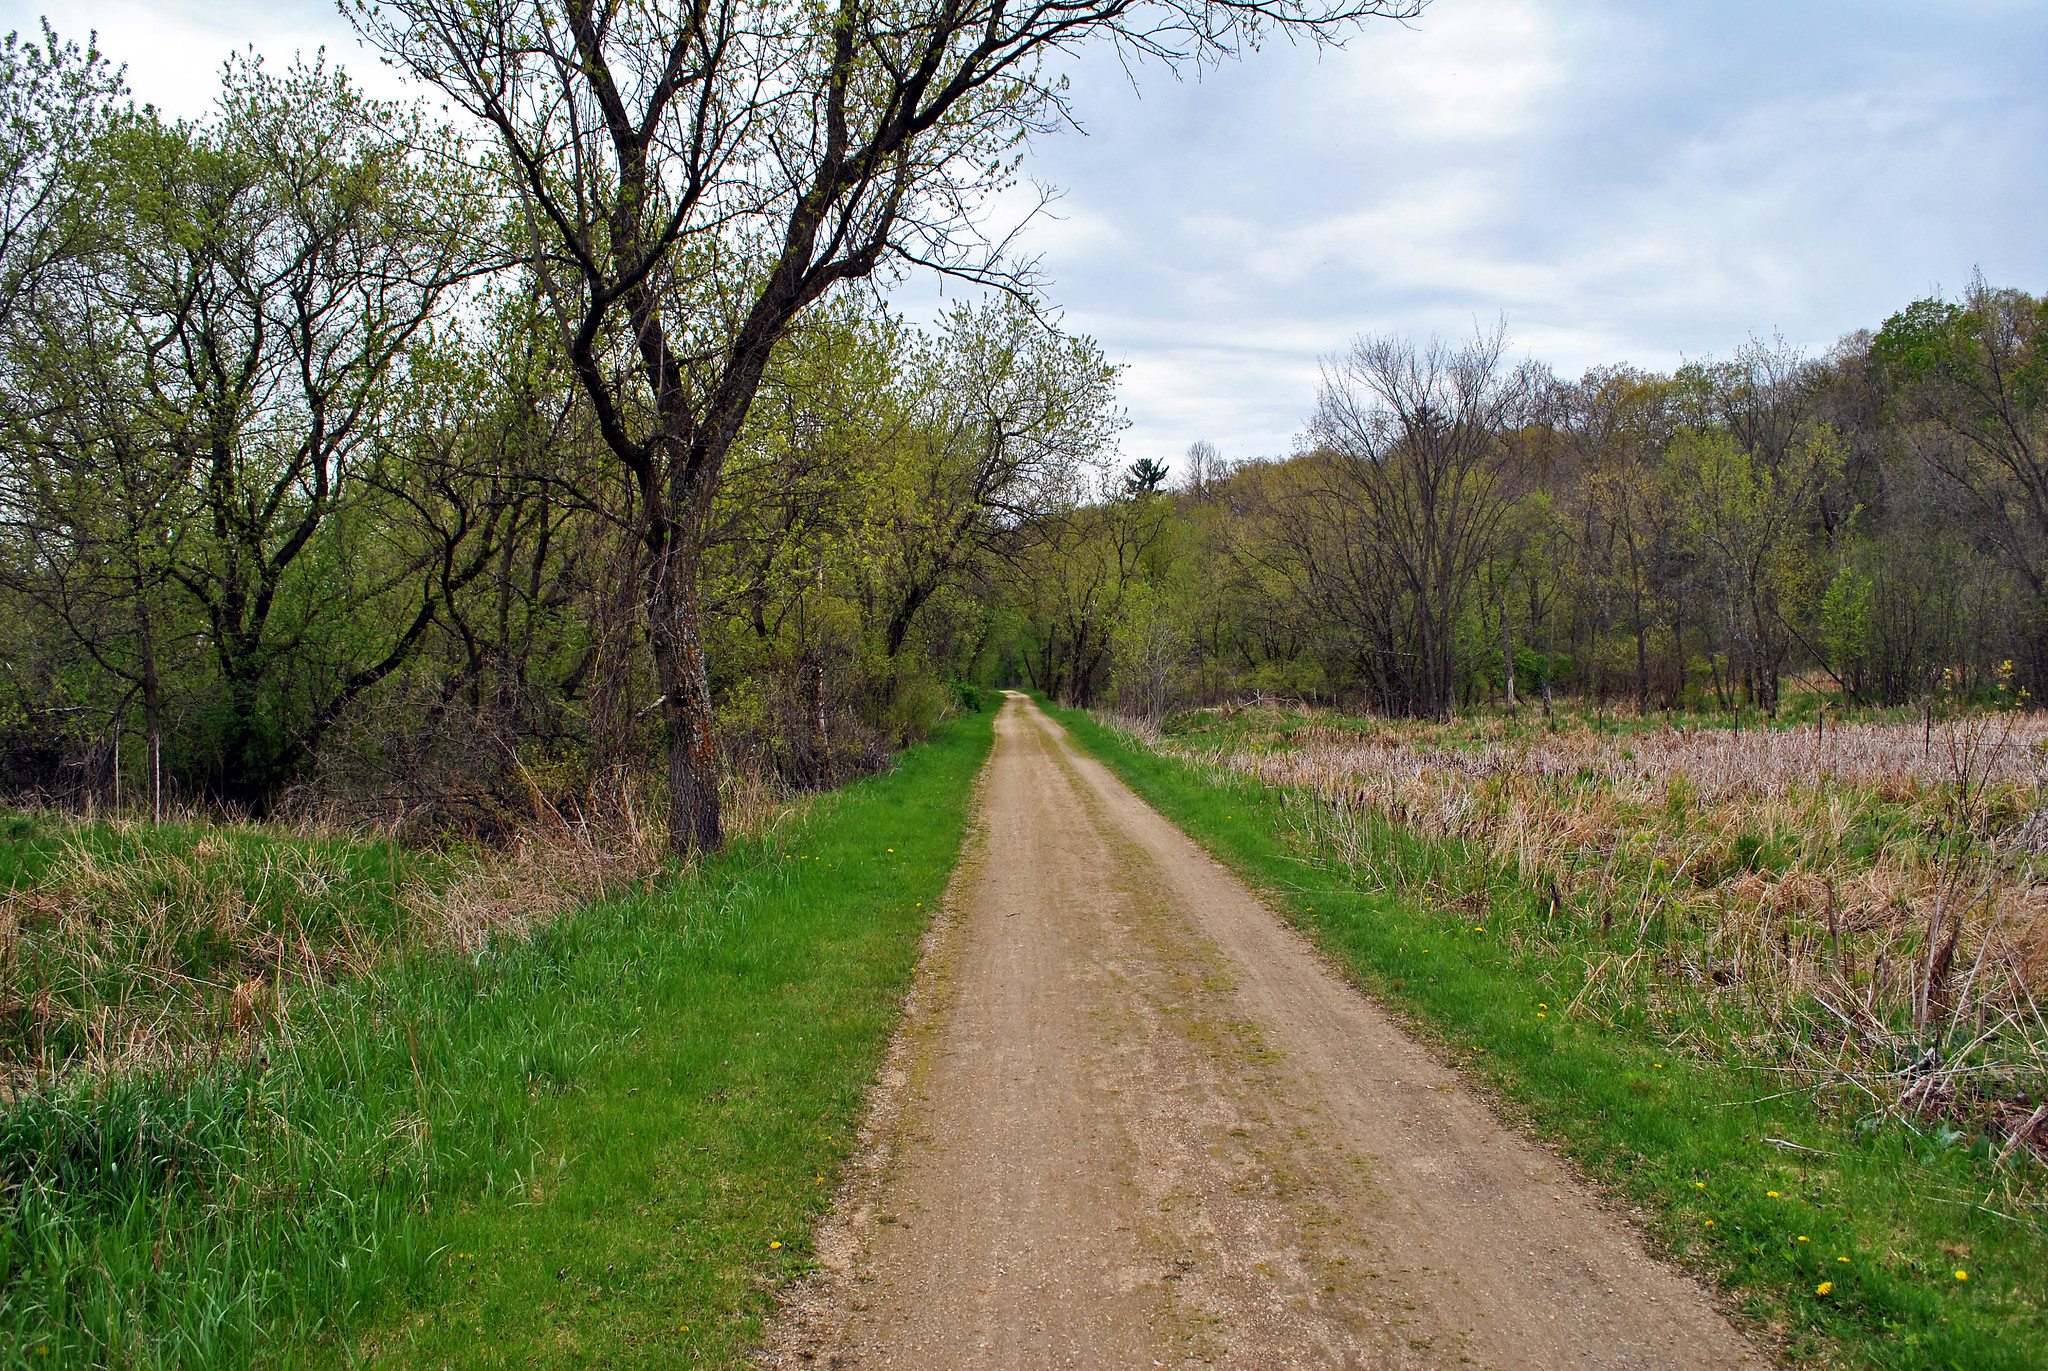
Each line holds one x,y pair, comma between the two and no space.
1459,530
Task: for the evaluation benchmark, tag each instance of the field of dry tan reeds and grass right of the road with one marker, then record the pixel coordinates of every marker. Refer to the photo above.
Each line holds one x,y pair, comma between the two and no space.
1859,913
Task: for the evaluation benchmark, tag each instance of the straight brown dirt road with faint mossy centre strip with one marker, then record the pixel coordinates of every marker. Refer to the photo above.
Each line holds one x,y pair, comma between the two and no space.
1136,1122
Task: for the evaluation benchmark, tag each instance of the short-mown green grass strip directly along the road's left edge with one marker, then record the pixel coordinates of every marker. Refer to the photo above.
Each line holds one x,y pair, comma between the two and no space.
675,1186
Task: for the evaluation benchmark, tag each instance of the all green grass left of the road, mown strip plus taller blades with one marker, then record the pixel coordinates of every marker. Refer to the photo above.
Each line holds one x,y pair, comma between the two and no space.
572,1149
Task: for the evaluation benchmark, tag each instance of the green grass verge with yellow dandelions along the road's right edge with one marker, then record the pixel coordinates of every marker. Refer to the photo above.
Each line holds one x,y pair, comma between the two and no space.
1840,1243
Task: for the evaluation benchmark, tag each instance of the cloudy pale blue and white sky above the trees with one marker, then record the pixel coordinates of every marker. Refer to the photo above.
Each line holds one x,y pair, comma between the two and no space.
1623,181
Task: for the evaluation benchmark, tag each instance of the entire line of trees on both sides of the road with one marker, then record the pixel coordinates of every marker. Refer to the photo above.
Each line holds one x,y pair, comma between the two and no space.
355,464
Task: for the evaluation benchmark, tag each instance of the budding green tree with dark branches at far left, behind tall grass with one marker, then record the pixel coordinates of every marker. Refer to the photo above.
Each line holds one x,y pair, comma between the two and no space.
257,286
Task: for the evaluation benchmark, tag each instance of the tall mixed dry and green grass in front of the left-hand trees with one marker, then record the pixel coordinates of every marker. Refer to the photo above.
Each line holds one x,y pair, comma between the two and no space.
136,946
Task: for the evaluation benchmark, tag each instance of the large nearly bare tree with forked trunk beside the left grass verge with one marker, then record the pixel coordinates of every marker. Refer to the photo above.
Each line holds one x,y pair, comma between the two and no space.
697,173
